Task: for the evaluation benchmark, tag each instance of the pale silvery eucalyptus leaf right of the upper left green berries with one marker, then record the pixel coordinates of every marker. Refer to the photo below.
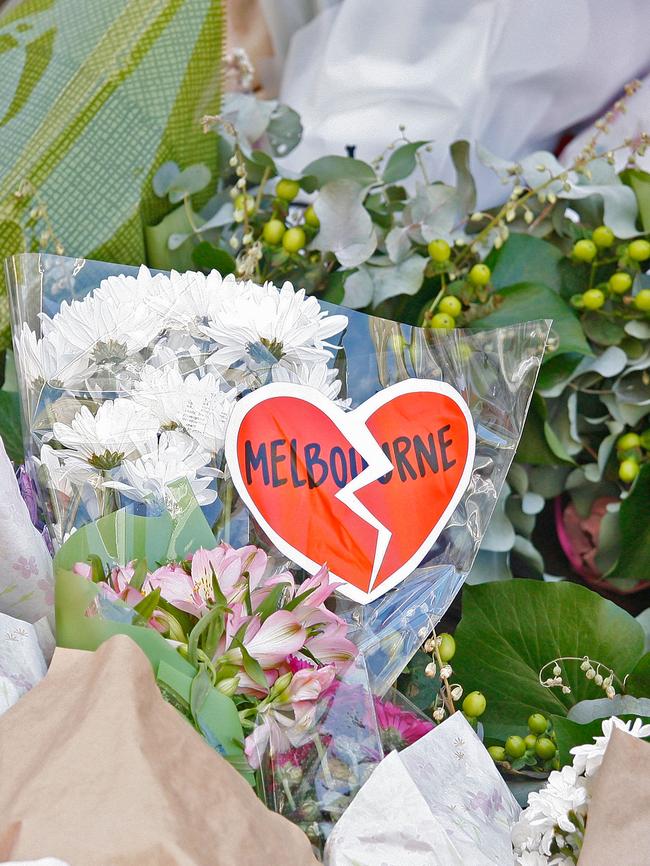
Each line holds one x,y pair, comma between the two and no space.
346,228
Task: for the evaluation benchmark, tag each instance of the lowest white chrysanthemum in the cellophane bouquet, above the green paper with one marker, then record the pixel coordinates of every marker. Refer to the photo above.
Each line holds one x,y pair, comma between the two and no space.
175,457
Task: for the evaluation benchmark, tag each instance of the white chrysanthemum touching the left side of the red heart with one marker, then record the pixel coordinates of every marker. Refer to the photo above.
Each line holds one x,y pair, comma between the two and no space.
197,405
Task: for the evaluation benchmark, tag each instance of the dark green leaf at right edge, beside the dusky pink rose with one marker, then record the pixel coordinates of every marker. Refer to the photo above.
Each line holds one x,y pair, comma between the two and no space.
634,523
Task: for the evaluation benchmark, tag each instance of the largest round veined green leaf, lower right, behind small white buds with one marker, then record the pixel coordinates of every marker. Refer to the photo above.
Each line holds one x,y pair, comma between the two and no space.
510,630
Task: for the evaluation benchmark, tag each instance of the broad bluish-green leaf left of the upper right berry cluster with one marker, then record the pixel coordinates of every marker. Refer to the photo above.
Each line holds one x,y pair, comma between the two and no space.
525,259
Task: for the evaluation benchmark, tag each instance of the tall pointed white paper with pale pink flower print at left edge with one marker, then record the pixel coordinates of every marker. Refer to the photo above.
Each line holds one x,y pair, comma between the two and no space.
27,578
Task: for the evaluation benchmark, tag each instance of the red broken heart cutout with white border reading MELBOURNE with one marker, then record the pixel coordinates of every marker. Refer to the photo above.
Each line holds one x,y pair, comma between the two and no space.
367,491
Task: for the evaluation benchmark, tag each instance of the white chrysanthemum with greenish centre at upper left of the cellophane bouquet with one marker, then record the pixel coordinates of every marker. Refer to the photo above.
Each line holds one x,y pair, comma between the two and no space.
104,331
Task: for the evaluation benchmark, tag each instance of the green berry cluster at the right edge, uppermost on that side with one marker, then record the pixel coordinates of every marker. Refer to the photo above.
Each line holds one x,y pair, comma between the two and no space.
613,293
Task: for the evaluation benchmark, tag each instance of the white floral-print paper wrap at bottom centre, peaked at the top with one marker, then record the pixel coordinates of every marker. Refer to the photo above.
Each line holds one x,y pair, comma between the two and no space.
440,802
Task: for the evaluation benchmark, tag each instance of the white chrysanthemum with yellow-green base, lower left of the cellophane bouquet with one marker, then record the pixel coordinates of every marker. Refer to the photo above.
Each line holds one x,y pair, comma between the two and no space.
120,429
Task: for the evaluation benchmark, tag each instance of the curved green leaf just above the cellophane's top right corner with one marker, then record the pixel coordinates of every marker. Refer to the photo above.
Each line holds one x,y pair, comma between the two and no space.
526,302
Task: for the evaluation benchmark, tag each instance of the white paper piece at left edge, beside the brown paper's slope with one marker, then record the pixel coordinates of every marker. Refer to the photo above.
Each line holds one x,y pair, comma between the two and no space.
22,658
